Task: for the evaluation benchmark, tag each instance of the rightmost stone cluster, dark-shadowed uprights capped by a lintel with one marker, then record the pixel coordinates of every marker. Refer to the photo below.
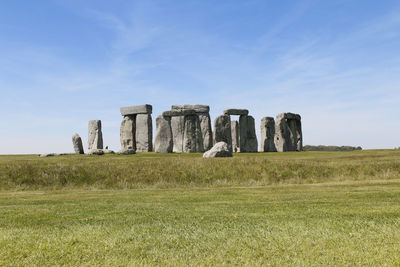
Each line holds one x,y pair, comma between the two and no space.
288,132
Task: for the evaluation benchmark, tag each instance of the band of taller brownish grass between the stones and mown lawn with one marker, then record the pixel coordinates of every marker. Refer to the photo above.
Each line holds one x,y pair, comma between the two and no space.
172,170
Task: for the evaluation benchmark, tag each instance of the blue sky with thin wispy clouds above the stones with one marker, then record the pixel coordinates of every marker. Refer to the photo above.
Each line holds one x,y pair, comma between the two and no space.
65,62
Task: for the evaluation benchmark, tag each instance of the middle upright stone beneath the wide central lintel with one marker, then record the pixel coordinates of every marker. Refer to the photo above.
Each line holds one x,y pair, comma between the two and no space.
192,137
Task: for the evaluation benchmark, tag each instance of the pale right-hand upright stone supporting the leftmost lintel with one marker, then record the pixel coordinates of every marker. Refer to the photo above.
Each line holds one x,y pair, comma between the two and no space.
144,133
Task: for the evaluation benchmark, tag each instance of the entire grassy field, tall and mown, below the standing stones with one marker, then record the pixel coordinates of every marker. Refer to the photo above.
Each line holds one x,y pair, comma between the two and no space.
296,209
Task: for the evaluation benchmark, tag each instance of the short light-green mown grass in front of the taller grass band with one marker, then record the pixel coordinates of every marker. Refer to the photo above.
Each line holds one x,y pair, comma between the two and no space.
338,224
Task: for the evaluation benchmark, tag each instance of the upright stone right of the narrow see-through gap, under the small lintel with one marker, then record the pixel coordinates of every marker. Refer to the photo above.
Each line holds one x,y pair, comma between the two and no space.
248,138
